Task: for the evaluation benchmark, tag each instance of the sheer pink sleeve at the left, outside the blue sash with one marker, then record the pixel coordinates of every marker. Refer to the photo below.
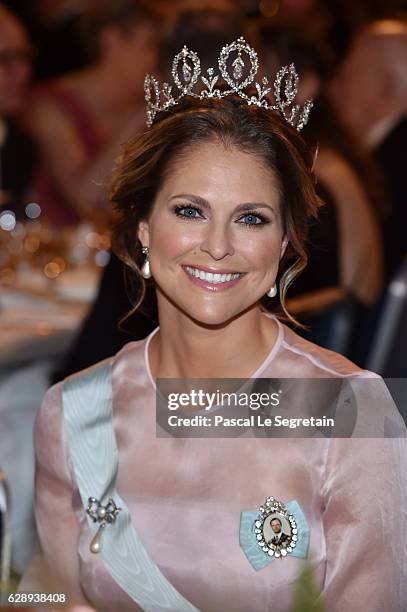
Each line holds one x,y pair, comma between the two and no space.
55,566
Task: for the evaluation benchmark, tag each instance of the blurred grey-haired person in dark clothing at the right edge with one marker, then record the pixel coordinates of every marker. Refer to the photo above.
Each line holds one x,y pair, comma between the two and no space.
370,92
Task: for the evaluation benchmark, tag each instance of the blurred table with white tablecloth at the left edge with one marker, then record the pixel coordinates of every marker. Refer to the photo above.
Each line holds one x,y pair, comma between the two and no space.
36,331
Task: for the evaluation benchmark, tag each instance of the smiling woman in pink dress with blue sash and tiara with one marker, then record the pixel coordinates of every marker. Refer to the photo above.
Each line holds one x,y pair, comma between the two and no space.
212,204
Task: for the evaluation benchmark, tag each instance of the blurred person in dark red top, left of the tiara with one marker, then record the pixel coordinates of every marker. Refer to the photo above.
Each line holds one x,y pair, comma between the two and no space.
80,119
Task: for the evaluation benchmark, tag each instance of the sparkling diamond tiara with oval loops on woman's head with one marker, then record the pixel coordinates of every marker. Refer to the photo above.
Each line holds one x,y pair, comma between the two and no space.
186,71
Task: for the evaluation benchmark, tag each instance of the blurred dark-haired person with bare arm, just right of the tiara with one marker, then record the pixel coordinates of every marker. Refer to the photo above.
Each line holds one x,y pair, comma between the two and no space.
345,249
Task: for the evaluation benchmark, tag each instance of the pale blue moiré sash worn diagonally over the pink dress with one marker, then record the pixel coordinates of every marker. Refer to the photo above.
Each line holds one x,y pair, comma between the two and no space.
87,399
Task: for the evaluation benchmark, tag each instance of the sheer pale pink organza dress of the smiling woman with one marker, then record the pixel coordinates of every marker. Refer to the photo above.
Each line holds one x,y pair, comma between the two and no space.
185,497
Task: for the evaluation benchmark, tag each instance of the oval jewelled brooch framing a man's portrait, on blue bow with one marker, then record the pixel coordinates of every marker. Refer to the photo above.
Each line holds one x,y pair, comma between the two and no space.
276,529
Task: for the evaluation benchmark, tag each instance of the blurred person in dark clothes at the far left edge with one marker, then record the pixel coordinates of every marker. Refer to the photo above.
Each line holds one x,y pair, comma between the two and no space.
16,147
